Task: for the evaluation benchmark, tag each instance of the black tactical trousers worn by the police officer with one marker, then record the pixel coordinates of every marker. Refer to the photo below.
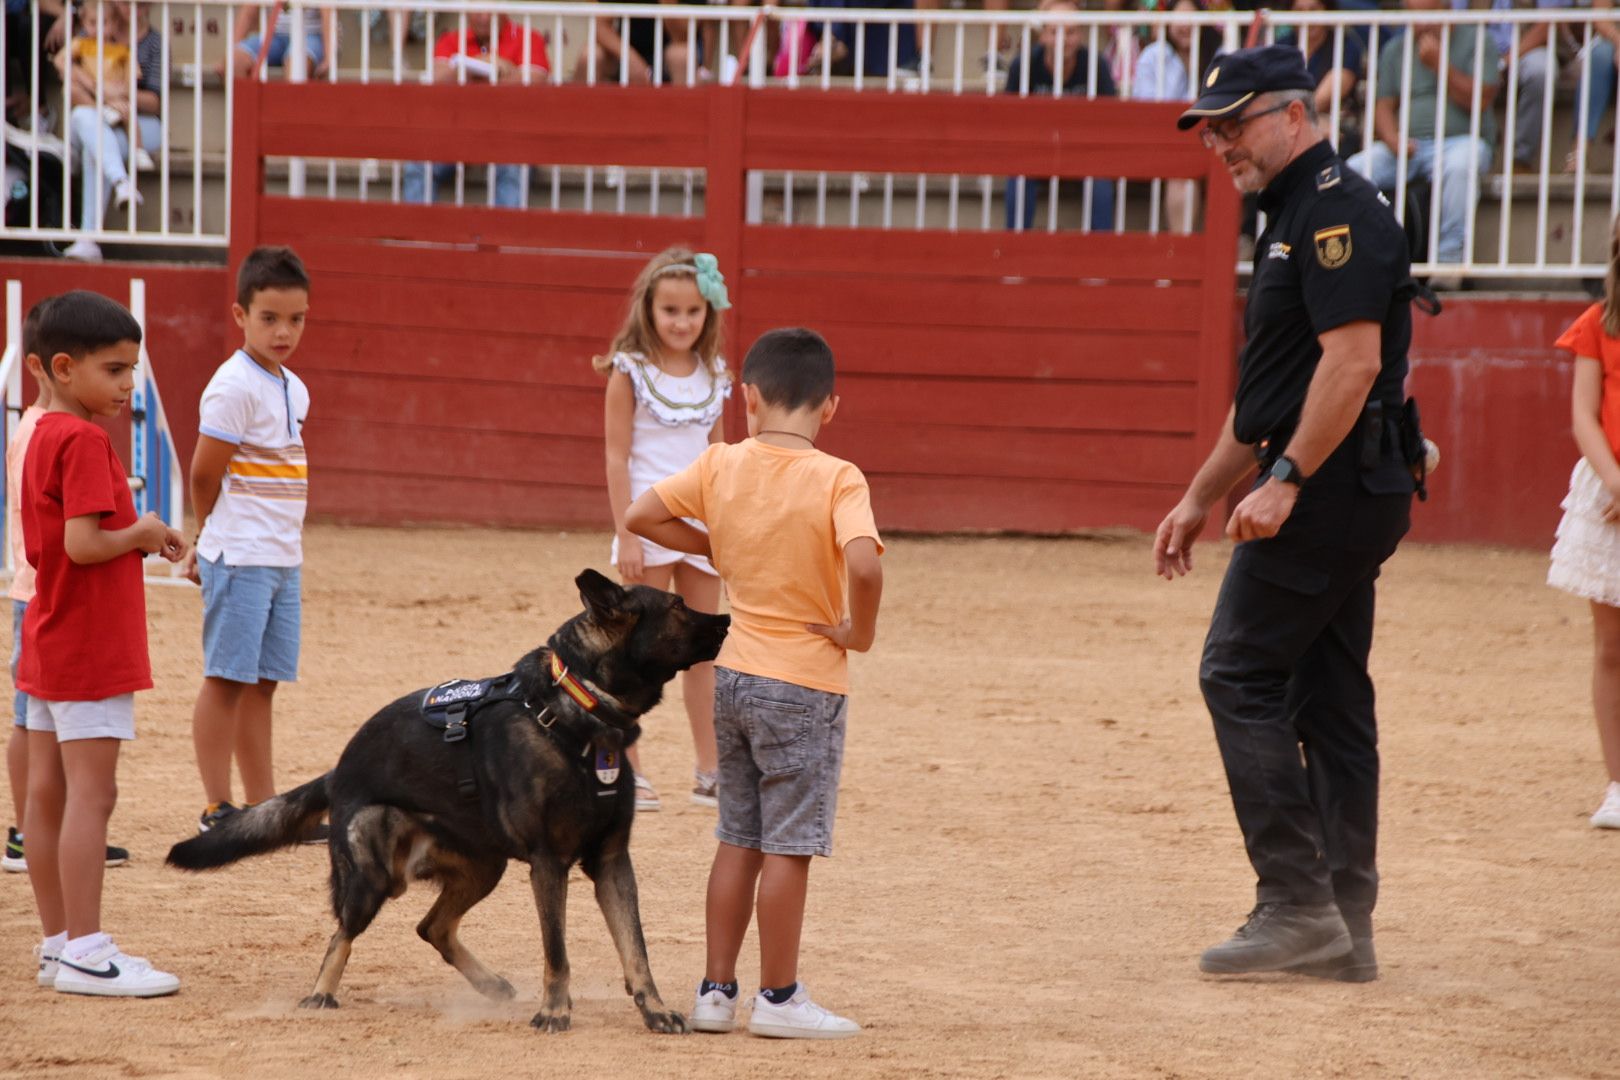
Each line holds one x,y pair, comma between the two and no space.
1285,679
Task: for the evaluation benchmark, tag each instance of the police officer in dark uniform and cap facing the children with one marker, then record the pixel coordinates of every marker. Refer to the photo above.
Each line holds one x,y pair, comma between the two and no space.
1318,404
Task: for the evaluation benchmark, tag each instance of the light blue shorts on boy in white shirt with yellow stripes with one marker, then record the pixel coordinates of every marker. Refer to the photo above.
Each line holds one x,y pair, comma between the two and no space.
250,623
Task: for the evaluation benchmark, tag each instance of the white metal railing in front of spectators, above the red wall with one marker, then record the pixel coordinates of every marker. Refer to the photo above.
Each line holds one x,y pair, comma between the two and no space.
1535,223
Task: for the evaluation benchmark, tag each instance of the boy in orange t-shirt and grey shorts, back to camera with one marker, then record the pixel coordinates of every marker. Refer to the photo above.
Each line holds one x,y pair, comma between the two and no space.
790,530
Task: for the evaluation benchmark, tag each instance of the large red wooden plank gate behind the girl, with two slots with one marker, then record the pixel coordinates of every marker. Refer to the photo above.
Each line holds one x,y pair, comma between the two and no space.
991,380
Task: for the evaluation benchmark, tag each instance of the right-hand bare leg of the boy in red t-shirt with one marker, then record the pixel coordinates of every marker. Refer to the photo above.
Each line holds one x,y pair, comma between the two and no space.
92,768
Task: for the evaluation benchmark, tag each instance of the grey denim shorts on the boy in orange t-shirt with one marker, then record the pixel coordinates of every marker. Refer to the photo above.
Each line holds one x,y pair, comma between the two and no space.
782,749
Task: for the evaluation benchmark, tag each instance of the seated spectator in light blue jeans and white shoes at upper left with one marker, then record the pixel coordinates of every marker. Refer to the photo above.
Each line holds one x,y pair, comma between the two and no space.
109,138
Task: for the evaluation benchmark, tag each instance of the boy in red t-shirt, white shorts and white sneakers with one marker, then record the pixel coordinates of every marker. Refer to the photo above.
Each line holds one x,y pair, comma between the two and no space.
83,639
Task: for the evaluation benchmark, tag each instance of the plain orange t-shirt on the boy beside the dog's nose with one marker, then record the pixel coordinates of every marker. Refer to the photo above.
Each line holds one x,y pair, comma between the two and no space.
778,524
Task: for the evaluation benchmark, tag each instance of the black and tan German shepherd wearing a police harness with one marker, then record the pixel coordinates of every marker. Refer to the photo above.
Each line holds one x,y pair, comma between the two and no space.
534,776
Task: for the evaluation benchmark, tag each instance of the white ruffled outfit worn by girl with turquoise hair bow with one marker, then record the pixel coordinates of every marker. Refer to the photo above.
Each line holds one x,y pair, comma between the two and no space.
668,433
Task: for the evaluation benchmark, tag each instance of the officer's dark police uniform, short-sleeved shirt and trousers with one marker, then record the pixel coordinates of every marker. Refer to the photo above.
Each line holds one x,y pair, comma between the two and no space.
1285,663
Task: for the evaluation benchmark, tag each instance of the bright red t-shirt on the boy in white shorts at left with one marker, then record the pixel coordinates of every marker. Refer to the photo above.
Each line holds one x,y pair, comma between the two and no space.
85,632
